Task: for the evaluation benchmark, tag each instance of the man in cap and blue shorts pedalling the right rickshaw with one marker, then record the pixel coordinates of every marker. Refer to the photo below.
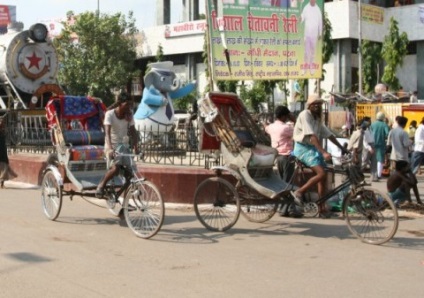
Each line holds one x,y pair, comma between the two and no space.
309,132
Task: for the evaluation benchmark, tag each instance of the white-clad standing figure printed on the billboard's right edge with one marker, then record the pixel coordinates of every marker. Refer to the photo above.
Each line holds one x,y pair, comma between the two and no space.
312,19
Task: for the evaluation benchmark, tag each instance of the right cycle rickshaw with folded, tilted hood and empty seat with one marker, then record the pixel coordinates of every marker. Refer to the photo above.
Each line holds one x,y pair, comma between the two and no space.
247,183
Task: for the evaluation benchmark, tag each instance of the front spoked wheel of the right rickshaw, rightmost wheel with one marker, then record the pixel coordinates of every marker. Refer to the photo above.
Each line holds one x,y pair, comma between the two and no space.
371,216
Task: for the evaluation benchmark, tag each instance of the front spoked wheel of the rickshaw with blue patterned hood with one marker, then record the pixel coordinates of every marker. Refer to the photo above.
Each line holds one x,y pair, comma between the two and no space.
144,209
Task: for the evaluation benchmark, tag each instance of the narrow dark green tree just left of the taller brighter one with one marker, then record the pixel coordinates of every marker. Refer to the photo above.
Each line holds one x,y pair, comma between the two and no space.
371,58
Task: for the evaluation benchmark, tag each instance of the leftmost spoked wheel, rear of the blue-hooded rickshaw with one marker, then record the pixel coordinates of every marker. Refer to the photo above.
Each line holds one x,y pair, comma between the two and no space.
51,196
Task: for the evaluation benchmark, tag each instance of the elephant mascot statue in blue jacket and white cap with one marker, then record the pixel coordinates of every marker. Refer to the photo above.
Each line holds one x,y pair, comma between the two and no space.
155,114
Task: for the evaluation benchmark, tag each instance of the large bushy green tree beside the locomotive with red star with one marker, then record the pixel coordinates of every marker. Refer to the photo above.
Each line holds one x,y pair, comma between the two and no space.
97,54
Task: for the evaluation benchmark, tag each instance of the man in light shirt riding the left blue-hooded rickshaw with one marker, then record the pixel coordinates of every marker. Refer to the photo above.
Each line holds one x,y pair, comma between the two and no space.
118,123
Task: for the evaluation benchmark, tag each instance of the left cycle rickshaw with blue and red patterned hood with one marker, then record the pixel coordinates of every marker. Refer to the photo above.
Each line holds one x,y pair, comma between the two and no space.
78,165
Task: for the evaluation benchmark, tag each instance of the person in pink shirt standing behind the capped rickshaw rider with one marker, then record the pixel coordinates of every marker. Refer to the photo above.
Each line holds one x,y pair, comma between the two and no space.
281,133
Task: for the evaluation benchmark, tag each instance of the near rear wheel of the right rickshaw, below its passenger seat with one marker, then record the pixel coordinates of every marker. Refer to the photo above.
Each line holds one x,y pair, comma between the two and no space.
216,204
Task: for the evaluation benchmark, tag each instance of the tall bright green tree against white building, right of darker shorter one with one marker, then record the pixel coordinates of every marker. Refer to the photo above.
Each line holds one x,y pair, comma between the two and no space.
393,51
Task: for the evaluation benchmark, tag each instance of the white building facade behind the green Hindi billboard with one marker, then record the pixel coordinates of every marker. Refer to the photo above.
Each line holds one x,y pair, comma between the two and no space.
183,43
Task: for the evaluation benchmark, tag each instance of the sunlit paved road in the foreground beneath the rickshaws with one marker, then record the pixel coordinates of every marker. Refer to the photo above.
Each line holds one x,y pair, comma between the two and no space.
88,253
